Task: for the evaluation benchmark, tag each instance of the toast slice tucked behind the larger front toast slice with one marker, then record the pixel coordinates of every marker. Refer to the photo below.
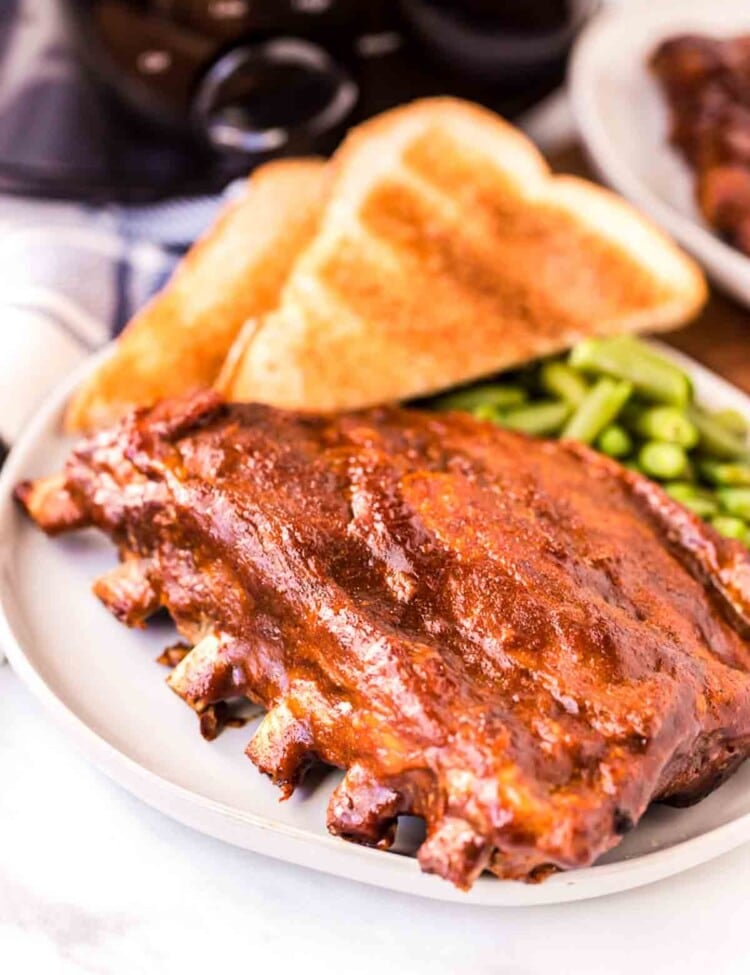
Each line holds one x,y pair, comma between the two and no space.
236,270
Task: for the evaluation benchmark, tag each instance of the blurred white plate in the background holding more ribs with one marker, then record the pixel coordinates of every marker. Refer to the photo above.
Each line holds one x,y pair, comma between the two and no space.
622,118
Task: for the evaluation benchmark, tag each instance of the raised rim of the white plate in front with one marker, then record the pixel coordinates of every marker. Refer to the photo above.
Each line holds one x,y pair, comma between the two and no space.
322,852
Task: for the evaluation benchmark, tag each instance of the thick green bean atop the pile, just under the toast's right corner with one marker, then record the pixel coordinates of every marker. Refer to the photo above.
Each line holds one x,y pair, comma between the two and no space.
624,357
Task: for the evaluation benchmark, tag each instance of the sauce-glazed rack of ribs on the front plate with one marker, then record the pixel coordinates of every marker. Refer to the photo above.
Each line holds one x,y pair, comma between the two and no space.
519,641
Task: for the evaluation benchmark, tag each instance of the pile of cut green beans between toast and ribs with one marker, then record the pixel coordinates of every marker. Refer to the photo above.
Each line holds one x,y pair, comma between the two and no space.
628,402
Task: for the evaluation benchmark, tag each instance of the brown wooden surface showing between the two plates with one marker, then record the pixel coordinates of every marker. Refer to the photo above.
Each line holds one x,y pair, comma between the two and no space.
720,337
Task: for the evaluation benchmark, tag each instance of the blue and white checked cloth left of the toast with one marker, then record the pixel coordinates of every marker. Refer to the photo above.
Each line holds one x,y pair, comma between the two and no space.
70,278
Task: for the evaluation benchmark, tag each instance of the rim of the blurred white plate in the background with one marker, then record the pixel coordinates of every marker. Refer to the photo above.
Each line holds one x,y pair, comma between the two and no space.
725,264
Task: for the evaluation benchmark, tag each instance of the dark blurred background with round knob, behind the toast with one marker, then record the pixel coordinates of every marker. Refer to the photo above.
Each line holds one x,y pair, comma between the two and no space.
134,100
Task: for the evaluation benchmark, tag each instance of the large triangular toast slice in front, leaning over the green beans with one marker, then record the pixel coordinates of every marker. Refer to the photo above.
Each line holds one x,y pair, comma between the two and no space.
448,251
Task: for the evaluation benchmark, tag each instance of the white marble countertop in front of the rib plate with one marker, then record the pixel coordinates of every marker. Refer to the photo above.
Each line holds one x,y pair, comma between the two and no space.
93,880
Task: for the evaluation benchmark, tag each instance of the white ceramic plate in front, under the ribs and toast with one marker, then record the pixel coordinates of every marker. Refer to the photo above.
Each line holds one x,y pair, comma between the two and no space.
101,683
